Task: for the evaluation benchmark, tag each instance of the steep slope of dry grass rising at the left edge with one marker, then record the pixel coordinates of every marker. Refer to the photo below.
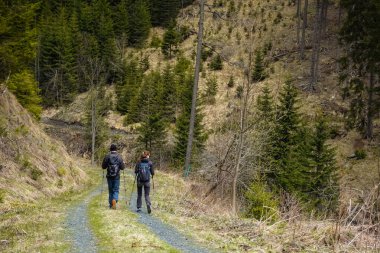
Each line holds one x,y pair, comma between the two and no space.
32,165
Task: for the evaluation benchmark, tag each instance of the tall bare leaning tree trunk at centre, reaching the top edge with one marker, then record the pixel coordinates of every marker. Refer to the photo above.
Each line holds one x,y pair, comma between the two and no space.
195,90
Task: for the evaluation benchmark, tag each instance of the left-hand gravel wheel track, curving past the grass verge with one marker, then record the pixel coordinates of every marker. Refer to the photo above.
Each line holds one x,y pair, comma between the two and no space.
81,237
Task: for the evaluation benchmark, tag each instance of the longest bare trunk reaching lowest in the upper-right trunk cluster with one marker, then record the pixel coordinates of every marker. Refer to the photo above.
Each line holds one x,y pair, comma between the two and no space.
316,45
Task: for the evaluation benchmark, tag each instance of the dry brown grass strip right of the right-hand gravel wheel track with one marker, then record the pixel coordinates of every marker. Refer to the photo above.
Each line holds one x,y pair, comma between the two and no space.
209,221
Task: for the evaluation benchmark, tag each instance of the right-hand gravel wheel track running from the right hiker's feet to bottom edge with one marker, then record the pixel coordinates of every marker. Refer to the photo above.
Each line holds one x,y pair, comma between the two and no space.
165,232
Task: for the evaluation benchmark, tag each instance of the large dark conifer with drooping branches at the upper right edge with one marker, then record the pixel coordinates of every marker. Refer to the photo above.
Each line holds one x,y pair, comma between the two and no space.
360,67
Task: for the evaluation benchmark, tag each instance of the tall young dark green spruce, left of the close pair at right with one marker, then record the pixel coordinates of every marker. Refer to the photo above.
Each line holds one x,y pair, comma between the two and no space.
289,145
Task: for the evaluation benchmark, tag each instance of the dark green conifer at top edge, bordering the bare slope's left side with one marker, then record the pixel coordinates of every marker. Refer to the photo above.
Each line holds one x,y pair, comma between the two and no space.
139,23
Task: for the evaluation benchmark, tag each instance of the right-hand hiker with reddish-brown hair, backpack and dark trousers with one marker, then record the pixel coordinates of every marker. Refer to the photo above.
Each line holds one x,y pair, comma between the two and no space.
143,180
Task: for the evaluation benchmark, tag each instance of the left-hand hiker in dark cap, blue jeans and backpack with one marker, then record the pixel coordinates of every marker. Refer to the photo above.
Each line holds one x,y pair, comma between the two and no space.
113,163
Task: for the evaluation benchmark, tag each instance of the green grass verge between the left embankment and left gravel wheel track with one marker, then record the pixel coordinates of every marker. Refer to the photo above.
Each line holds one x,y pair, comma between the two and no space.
39,226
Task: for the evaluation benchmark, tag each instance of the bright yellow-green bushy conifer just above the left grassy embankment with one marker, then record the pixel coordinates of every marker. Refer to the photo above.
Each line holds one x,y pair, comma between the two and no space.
25,88
